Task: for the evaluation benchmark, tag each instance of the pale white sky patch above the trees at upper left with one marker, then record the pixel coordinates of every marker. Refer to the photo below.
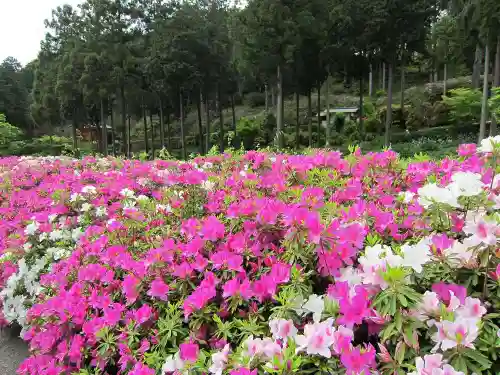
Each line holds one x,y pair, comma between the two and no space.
22,28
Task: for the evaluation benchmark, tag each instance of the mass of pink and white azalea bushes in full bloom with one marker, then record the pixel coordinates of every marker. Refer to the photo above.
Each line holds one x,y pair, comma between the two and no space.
255,263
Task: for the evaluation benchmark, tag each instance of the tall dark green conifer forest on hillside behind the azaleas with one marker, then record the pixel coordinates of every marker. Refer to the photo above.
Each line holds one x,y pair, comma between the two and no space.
107,63
